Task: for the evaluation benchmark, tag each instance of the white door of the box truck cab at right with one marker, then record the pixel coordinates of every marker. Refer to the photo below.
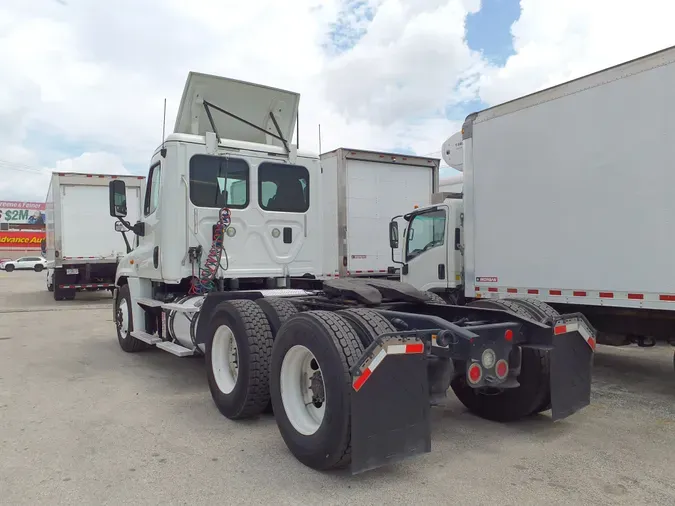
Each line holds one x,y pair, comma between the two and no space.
426,249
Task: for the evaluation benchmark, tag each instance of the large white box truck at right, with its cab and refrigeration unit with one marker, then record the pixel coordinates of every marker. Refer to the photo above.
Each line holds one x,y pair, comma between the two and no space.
567,201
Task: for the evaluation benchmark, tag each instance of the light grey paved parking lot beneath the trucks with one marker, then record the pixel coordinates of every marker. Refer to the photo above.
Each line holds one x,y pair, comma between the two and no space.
82,422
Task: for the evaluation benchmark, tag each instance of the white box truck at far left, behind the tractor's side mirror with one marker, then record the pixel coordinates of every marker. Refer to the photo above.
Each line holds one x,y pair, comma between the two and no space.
82,245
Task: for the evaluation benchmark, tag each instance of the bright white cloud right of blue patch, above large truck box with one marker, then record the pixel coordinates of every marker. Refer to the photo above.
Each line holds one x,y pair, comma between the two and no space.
559,40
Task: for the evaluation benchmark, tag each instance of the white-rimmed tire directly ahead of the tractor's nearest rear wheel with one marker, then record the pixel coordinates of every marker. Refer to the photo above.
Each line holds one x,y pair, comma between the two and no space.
243,392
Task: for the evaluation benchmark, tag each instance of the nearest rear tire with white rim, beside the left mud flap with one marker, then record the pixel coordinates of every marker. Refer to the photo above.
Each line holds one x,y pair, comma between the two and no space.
324,443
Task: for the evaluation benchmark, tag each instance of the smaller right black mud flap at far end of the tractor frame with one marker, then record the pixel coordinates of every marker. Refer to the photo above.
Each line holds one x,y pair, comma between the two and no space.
571,361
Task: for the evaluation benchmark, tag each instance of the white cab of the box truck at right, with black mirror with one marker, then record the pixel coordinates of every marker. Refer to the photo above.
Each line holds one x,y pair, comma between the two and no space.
432,258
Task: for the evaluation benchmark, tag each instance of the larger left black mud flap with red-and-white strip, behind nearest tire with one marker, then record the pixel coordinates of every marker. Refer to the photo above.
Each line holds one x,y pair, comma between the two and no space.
390,404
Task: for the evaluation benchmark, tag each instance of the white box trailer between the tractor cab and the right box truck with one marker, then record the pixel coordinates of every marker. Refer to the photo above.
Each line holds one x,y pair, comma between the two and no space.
362,190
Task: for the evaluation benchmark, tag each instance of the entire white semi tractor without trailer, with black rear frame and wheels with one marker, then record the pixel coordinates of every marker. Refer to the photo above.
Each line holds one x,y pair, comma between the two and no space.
229,264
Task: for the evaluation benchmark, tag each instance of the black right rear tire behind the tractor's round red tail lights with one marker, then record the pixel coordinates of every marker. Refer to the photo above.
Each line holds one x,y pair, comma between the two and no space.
514,403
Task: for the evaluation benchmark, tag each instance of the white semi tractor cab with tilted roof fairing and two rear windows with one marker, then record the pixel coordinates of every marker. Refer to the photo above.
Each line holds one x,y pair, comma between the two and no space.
228,168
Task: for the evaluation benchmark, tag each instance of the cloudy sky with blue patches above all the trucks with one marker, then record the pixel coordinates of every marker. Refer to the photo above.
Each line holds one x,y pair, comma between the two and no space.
82,82
